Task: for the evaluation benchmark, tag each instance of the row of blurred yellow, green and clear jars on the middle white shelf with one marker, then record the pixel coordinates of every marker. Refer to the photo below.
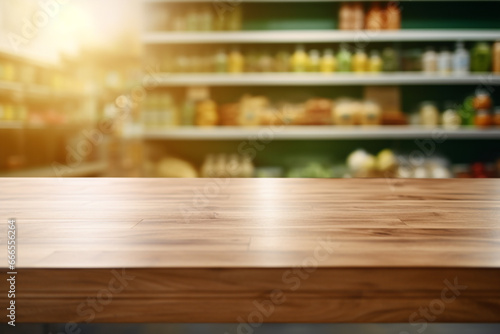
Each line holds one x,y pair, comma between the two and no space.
482,58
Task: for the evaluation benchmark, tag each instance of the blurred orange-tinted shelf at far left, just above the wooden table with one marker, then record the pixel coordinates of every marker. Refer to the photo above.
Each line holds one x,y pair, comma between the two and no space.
85,169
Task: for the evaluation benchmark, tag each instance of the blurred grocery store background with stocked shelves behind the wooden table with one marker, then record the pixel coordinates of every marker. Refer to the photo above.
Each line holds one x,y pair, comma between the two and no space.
255,88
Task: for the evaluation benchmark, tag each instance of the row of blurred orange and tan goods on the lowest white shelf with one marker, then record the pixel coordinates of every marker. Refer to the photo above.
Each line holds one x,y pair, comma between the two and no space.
160,110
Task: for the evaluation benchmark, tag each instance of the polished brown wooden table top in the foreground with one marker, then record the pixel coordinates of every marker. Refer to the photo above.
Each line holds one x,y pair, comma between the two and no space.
202,250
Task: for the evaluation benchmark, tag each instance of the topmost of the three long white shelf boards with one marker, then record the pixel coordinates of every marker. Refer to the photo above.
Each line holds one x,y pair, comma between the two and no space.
320,36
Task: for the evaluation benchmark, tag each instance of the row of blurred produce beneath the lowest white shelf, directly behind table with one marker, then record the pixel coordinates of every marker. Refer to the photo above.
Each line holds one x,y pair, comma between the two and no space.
358,164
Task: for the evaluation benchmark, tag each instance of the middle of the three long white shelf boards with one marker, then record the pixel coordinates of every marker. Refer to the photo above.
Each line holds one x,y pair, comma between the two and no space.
319,79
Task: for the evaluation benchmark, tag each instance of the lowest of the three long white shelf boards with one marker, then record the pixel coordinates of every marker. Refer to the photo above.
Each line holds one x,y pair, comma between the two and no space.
318,132
